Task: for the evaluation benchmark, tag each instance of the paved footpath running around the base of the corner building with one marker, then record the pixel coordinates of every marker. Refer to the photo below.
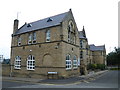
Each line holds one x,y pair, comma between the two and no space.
58,81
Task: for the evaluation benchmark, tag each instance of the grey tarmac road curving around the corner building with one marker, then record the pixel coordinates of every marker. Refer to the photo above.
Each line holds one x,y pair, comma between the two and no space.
106,80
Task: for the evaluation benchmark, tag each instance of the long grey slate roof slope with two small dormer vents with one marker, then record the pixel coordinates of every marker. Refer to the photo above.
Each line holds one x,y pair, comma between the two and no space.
43,23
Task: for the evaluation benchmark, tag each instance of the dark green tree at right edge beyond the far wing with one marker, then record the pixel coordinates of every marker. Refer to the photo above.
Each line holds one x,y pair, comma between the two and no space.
114,57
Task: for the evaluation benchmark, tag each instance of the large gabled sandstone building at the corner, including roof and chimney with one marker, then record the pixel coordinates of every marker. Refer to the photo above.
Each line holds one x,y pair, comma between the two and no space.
47,46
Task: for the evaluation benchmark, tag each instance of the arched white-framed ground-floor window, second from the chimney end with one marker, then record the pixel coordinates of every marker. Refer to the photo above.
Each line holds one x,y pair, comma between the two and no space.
31,62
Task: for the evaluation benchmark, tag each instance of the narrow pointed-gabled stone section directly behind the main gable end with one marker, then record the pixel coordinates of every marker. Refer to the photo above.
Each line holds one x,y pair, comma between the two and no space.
84,51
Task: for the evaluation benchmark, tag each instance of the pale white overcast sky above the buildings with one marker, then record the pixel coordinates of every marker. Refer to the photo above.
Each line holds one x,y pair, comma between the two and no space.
99,17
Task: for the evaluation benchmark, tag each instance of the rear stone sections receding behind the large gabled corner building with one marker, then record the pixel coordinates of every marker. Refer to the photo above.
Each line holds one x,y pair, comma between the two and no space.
90,54
